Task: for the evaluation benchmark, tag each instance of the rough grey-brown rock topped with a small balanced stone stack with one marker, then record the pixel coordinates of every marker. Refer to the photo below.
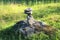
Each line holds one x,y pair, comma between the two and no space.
31,26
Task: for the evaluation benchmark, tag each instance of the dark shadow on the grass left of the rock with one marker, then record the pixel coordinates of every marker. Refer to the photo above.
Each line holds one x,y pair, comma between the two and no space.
10,33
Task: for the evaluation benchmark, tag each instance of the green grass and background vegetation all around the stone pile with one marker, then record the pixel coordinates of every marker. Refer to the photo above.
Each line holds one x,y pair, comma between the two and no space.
12,11
